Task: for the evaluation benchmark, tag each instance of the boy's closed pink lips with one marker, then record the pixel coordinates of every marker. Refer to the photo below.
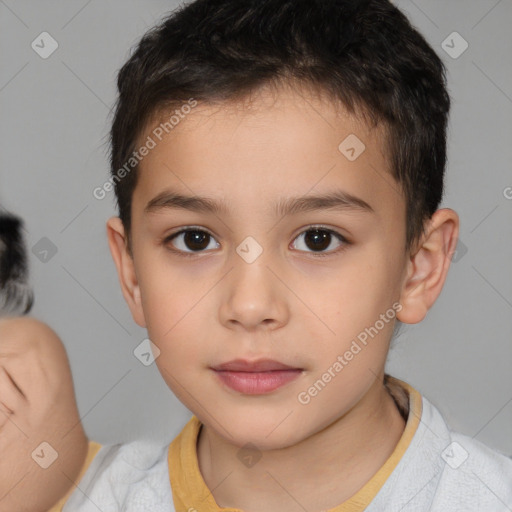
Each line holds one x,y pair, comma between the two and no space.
256,377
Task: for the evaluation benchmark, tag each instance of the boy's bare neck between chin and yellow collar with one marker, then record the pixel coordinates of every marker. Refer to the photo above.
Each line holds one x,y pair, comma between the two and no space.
320,472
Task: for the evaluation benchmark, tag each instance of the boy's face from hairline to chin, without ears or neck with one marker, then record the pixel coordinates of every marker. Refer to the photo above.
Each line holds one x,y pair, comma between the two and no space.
206,302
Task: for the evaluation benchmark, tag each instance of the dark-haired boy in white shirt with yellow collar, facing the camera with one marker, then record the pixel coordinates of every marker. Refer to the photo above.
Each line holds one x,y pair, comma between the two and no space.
266,127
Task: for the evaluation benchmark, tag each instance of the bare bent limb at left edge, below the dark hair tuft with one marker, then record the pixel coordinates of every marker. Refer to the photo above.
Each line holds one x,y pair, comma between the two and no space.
37,404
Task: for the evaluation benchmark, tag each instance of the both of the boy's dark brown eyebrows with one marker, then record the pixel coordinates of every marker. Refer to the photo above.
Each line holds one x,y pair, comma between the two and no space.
335,200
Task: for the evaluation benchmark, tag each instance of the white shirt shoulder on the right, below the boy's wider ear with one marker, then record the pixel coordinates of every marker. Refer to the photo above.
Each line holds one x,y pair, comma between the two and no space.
444,471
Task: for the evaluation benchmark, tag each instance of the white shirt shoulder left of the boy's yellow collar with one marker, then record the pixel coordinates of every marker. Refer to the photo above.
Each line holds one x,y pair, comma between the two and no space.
134,474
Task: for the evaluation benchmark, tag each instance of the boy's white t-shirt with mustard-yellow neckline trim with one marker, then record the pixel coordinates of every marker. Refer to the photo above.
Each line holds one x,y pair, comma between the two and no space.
436,470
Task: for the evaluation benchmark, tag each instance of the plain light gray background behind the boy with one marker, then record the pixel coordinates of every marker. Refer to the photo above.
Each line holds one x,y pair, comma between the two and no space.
54,123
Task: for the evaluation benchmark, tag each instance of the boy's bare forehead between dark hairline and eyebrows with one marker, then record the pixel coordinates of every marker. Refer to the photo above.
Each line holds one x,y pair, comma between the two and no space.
264,147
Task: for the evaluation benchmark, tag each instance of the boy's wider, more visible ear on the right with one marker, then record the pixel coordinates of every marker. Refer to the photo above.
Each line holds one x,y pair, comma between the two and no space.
428,266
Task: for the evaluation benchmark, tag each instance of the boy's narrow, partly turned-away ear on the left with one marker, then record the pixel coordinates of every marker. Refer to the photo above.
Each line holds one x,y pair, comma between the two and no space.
125,269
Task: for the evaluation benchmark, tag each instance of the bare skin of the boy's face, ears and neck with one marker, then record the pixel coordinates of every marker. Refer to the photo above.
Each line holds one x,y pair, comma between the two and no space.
289,304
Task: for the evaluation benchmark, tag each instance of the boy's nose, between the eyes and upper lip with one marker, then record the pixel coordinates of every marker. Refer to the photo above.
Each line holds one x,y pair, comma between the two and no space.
254,298
